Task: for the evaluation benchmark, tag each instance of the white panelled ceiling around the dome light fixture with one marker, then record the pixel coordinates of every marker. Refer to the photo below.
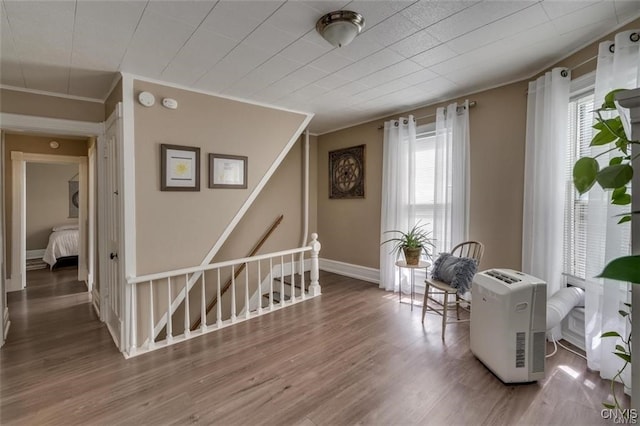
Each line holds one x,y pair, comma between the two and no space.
410,53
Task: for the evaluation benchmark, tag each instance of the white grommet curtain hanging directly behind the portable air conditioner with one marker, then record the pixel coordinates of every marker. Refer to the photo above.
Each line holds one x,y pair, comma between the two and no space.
544,195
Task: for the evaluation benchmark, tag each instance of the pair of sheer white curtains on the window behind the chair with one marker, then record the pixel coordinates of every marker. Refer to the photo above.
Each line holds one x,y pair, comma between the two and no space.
451,185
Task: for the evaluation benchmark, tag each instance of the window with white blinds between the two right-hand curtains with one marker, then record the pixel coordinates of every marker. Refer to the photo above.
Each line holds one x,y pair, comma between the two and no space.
575,223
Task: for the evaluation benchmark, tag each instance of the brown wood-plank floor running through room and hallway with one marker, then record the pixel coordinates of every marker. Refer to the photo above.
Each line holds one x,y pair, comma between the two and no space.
353,356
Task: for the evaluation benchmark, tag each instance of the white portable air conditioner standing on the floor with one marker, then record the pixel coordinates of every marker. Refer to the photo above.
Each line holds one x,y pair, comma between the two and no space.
508,324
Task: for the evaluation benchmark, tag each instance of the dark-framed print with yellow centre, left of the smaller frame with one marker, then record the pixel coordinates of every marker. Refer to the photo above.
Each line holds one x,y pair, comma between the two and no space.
180,168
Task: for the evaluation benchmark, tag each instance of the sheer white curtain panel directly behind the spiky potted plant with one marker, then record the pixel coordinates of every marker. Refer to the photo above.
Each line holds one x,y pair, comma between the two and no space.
397,192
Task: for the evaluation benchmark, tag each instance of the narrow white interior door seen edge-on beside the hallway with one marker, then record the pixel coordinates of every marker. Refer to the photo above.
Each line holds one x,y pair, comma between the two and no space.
111,286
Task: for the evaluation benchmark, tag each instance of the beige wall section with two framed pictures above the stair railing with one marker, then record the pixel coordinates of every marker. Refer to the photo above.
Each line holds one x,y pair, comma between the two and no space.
177,229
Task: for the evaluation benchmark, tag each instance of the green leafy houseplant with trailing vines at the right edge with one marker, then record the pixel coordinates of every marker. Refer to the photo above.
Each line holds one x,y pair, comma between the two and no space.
616,177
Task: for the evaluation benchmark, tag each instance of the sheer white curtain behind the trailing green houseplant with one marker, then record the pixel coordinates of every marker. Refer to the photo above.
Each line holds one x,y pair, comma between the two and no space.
618,67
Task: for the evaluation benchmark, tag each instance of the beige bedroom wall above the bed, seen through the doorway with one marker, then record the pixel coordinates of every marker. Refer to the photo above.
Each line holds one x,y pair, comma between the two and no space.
47,201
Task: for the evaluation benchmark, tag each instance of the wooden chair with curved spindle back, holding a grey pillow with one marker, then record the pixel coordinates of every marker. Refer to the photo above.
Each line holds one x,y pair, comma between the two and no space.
470,249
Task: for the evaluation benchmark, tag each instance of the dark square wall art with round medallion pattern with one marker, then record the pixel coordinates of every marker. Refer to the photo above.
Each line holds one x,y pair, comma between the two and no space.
346,172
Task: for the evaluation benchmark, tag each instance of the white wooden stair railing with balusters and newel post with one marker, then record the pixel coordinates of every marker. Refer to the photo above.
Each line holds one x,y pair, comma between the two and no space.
151,296
